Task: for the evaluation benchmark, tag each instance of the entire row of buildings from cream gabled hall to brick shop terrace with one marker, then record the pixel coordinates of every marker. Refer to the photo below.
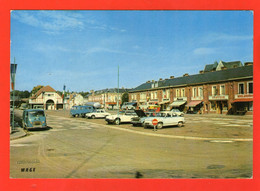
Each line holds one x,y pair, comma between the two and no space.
222,88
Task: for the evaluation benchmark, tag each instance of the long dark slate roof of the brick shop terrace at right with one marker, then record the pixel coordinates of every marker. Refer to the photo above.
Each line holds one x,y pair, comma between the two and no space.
208,77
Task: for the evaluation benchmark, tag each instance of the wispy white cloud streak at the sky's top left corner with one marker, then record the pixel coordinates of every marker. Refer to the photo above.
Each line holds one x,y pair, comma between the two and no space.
54,22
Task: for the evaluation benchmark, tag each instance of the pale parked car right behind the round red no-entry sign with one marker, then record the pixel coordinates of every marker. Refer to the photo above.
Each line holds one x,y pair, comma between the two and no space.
164,119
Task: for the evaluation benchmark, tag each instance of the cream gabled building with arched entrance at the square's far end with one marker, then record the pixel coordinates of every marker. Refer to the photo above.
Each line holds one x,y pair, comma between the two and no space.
46,98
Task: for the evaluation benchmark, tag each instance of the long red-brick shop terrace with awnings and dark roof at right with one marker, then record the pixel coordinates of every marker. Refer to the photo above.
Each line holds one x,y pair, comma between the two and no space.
223,88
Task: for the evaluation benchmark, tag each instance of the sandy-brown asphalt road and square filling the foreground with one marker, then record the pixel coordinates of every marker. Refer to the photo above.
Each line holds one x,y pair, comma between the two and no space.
84,148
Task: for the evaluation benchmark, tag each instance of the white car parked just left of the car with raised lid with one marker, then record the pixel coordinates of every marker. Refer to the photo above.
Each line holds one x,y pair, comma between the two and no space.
122,117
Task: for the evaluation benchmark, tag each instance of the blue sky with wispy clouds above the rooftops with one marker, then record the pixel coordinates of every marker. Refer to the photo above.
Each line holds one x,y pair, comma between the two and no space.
82,49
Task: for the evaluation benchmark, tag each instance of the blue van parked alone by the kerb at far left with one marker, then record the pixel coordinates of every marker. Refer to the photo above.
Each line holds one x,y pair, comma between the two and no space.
34,118
